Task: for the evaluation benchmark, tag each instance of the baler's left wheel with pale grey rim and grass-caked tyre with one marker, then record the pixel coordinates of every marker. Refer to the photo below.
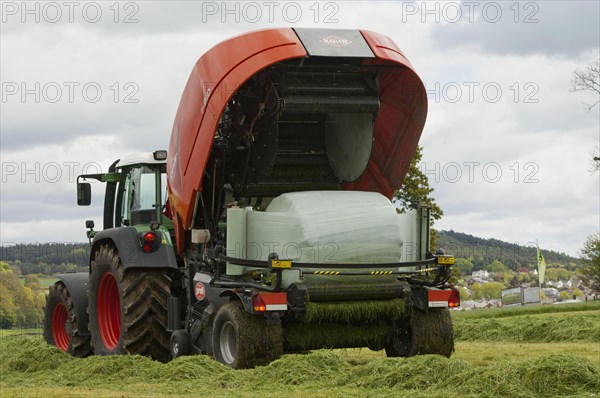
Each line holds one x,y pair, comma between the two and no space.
242,340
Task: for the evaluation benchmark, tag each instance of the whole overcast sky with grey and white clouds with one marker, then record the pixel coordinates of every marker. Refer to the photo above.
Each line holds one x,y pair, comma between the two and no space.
507,146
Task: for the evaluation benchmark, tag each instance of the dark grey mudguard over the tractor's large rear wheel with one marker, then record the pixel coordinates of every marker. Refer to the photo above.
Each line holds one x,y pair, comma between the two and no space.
126,240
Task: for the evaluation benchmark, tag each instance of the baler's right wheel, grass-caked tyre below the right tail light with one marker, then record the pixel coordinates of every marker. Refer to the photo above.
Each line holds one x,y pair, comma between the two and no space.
430,332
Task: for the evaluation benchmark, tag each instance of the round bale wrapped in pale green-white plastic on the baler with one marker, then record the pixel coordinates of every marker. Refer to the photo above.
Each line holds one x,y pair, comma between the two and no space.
326,227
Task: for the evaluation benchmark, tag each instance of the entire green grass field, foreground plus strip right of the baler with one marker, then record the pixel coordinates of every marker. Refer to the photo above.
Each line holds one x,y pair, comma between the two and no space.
485,364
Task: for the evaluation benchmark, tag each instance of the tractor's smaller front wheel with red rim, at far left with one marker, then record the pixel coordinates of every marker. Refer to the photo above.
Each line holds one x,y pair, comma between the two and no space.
61,327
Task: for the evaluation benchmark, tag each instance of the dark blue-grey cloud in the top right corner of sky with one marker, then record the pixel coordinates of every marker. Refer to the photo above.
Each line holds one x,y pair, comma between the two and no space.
563,28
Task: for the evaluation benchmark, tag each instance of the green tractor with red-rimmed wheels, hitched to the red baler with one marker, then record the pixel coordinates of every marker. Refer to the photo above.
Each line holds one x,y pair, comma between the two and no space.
129,280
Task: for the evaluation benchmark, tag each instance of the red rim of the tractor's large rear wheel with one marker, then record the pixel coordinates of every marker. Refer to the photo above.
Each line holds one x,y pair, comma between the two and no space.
109,311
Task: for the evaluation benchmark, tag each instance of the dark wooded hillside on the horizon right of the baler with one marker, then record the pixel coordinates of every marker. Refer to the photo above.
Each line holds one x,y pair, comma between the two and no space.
482,252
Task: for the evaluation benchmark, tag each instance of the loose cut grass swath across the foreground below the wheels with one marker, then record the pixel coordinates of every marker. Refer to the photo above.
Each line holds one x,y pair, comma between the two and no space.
33,368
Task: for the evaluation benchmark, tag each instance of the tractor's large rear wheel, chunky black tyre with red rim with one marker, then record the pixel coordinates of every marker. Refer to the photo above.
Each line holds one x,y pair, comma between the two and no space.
128,309
